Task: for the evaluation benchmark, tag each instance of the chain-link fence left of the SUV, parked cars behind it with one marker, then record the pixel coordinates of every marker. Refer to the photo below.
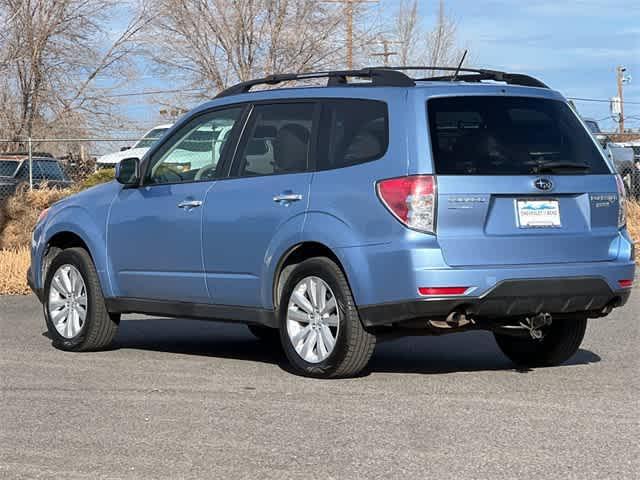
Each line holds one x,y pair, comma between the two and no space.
56,162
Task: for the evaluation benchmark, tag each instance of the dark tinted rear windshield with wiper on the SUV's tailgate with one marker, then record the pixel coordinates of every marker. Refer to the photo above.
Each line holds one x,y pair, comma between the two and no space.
509,136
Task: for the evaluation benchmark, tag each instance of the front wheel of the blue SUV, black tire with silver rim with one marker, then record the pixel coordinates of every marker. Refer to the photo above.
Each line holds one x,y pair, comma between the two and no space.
98,329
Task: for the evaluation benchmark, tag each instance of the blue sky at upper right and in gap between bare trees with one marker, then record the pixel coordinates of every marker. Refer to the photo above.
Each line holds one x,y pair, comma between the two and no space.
574,46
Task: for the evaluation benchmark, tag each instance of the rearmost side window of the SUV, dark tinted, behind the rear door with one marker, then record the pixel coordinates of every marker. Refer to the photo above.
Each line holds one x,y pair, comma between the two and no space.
353,132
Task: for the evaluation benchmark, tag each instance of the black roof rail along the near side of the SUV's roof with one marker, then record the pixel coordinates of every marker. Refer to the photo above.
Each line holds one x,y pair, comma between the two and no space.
384,77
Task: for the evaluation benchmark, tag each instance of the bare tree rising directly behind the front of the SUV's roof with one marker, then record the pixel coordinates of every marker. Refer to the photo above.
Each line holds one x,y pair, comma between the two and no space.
218,42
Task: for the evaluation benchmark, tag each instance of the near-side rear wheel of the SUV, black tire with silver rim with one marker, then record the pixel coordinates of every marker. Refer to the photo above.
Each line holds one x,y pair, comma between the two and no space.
352,344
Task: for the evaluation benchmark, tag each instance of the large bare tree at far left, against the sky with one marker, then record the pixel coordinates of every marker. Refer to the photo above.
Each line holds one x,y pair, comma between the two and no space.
59,62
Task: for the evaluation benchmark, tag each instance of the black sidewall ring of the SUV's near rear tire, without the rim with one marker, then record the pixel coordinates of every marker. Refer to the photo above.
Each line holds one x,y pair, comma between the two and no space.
320,268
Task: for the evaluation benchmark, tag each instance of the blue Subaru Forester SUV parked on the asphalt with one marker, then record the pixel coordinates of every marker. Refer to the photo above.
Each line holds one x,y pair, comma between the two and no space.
329,217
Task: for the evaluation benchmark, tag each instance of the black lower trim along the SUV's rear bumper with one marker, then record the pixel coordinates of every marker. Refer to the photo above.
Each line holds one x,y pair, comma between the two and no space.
510,298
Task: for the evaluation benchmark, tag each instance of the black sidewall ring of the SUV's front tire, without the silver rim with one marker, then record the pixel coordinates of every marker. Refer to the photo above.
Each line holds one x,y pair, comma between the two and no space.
70,257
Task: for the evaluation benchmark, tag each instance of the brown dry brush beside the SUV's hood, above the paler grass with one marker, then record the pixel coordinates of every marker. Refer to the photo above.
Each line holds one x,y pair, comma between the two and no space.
20,212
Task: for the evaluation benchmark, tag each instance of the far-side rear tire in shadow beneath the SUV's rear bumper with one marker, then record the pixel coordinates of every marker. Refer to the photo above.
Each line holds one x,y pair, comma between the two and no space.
560,342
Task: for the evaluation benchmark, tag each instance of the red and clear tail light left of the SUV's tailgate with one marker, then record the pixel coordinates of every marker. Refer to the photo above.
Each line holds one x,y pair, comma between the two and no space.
412,200
